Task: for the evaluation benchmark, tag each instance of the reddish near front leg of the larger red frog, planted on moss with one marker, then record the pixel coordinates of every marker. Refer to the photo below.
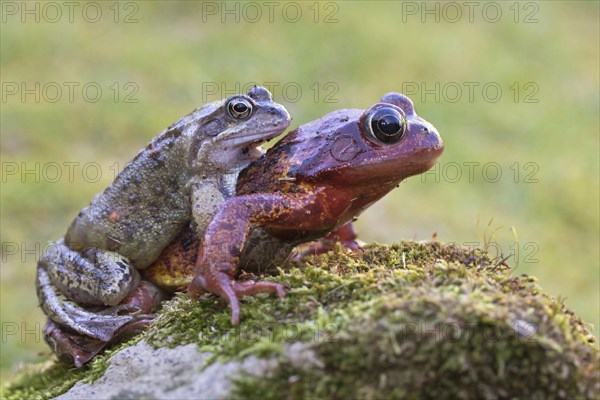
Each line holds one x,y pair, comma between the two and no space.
224,241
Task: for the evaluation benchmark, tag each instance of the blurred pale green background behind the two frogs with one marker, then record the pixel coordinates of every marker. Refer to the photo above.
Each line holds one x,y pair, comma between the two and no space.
513,88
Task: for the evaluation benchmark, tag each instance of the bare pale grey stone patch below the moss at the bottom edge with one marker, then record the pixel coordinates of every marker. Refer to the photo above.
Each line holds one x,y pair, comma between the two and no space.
142,372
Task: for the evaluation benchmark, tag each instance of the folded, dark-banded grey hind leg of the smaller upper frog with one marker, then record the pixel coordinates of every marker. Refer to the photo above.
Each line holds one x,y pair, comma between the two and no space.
66,280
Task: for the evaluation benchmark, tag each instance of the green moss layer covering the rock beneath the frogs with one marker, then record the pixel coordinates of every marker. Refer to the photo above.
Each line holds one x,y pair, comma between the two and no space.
413,320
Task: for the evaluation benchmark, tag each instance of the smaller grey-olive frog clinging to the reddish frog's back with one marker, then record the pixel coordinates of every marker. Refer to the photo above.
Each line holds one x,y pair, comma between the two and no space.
89,283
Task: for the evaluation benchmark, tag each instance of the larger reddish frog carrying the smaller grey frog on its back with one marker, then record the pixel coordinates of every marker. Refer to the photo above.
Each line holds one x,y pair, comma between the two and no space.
310,185
